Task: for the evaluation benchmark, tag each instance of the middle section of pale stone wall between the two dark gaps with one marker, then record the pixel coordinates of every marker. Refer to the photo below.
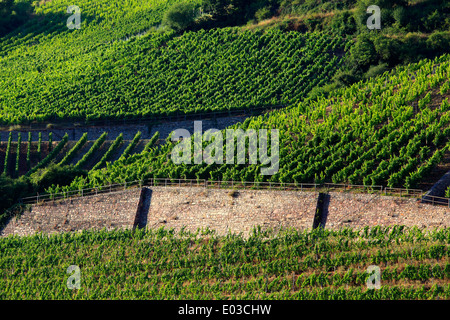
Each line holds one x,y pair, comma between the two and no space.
223,210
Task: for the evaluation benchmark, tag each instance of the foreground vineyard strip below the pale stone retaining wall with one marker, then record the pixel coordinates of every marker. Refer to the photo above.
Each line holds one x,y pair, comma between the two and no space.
161,264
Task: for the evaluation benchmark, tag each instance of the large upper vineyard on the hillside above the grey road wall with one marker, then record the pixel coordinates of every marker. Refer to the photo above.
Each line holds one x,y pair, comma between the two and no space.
91,74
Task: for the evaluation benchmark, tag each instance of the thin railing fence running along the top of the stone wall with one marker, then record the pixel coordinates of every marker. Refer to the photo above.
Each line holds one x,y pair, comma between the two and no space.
255,185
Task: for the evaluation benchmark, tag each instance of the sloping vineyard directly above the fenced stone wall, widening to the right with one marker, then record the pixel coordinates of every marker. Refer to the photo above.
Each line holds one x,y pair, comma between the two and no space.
392,130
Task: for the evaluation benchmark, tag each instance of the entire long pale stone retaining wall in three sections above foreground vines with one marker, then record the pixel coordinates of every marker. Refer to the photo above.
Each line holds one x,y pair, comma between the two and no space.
225,210
